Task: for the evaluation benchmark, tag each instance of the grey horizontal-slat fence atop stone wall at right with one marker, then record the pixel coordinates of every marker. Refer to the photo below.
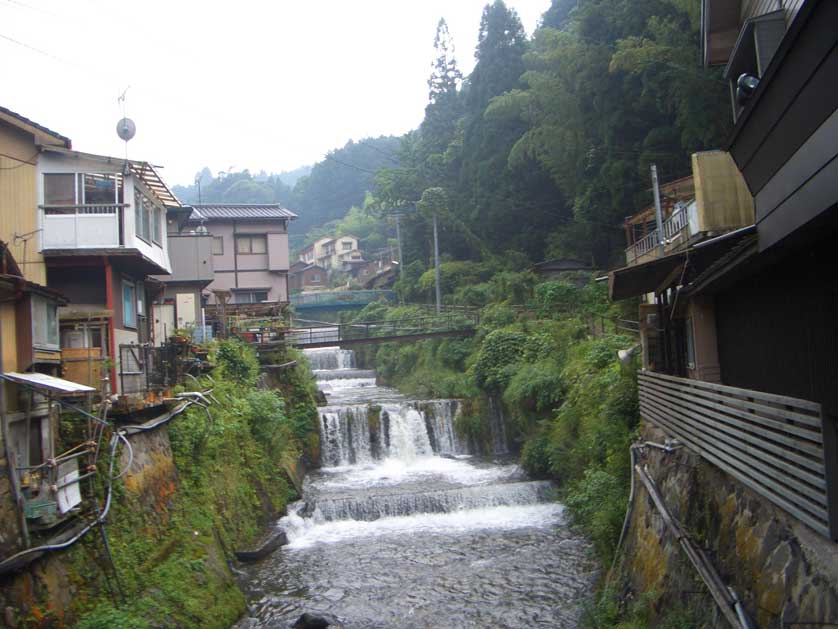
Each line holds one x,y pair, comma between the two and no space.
770,443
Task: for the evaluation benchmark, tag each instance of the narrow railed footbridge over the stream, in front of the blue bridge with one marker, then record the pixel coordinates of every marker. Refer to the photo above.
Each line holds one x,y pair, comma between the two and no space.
348,334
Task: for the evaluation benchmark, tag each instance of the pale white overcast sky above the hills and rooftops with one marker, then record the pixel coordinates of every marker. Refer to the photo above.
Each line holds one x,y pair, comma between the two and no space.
244,84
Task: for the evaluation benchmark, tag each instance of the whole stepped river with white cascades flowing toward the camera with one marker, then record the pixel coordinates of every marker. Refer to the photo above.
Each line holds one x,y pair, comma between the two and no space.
404,527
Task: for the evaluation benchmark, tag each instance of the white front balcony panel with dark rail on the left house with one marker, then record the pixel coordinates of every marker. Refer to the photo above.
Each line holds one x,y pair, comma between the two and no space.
82,226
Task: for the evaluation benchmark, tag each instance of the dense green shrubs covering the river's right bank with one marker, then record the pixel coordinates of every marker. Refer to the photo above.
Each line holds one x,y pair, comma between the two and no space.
570,406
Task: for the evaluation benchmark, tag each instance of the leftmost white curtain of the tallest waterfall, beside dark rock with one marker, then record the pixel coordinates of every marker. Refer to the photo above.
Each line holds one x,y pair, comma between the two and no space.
345,435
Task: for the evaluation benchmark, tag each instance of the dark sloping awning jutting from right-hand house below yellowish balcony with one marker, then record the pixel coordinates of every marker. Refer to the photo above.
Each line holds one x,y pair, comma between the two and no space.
632,281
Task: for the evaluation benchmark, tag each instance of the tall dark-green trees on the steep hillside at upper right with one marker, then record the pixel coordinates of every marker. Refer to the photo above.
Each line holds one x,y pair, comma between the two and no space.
546,146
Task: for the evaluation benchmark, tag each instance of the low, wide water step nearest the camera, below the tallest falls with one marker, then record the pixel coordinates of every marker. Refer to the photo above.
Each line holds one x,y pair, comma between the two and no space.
374,506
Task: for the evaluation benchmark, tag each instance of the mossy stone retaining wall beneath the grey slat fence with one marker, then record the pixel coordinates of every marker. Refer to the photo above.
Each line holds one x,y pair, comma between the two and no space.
786,574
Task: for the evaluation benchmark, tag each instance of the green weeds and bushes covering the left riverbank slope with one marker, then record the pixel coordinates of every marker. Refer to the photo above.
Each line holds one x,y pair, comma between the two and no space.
173,528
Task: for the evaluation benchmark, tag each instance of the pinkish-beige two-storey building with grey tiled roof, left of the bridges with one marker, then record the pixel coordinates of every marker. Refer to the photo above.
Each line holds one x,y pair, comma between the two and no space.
249,250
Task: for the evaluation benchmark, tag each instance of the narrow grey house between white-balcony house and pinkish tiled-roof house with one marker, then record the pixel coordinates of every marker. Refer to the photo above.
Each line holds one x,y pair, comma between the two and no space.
179,301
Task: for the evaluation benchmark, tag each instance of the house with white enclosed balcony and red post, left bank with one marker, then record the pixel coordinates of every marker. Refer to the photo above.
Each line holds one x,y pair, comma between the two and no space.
102,234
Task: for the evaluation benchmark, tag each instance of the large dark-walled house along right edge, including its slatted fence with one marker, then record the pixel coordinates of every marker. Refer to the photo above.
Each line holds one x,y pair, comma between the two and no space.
740,336
